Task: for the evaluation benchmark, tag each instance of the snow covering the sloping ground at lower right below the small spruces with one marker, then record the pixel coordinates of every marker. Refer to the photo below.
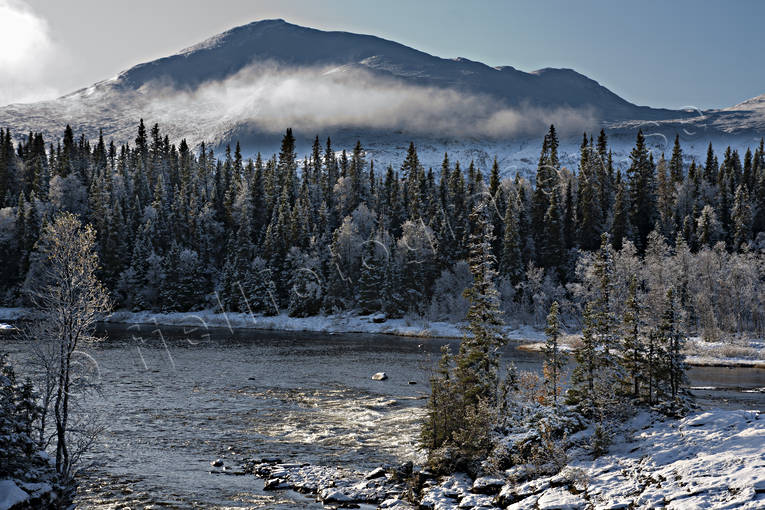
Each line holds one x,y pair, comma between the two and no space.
710,459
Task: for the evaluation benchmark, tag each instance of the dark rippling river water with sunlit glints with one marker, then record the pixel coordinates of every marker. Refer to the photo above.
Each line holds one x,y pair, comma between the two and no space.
174,400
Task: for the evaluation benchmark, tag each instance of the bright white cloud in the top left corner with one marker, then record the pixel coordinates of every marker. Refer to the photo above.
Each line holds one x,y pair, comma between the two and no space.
28,55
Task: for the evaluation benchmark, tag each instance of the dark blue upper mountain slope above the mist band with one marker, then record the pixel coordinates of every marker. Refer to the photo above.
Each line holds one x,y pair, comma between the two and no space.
288,44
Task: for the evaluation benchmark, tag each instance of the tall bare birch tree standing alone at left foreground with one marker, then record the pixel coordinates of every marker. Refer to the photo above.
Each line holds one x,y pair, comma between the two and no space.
70,299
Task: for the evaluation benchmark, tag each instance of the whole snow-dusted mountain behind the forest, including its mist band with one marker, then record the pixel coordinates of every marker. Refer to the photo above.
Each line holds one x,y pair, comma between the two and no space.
253,81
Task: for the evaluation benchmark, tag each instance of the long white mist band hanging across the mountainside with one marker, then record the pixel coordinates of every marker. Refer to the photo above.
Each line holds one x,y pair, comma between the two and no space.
314,100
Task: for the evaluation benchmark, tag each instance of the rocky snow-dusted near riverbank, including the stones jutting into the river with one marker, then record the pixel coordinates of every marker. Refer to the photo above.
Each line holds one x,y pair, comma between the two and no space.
710,459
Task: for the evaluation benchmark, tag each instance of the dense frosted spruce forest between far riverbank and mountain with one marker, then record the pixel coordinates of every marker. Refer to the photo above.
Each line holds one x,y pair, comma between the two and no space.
182,229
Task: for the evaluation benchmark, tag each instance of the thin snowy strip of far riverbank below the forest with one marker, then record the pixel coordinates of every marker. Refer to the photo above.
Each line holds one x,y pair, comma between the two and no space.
738,353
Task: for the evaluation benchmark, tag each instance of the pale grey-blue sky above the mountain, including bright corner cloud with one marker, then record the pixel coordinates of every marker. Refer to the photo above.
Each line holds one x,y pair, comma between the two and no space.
662,54
